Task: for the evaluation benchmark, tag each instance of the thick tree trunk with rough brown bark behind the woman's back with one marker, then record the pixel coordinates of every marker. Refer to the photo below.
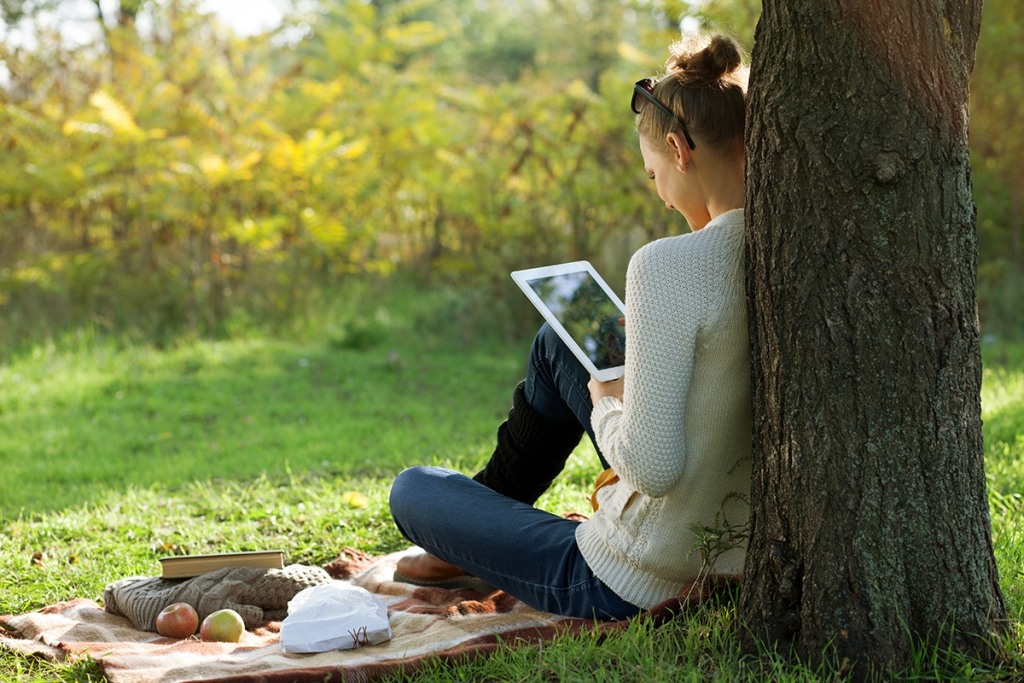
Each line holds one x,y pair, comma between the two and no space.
871,532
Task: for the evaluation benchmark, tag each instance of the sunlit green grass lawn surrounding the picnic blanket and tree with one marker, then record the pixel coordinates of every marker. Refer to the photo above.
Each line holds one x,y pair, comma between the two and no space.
114,456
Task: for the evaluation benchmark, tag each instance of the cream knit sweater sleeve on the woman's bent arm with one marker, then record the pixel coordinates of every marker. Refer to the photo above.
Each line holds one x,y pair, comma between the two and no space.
667,301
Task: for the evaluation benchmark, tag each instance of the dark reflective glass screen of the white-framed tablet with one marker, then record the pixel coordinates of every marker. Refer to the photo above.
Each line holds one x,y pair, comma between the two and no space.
587,313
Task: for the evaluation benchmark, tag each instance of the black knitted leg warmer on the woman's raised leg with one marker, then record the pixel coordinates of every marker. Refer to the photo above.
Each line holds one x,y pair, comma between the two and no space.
531,452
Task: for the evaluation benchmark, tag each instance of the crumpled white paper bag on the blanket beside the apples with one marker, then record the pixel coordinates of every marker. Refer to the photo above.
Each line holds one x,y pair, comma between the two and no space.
334,617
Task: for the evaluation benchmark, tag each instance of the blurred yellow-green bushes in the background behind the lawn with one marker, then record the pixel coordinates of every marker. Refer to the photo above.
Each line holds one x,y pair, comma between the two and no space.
169,179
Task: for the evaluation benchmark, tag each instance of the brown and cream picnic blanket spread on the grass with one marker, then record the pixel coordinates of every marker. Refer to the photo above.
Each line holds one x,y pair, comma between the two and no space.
428,624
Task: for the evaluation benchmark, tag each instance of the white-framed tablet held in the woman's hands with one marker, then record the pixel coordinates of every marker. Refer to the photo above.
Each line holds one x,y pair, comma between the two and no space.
585,313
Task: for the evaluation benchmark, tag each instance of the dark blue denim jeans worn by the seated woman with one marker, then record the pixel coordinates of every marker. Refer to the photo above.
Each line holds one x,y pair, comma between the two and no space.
529,553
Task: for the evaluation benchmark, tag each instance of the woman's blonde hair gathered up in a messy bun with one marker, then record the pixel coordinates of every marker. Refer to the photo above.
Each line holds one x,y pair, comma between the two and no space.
705,87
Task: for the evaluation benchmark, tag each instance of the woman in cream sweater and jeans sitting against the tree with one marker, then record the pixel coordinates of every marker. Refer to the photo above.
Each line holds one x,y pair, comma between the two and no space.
675,430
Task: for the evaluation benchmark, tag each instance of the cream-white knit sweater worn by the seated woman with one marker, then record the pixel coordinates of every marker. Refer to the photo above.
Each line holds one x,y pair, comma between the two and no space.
680,439
